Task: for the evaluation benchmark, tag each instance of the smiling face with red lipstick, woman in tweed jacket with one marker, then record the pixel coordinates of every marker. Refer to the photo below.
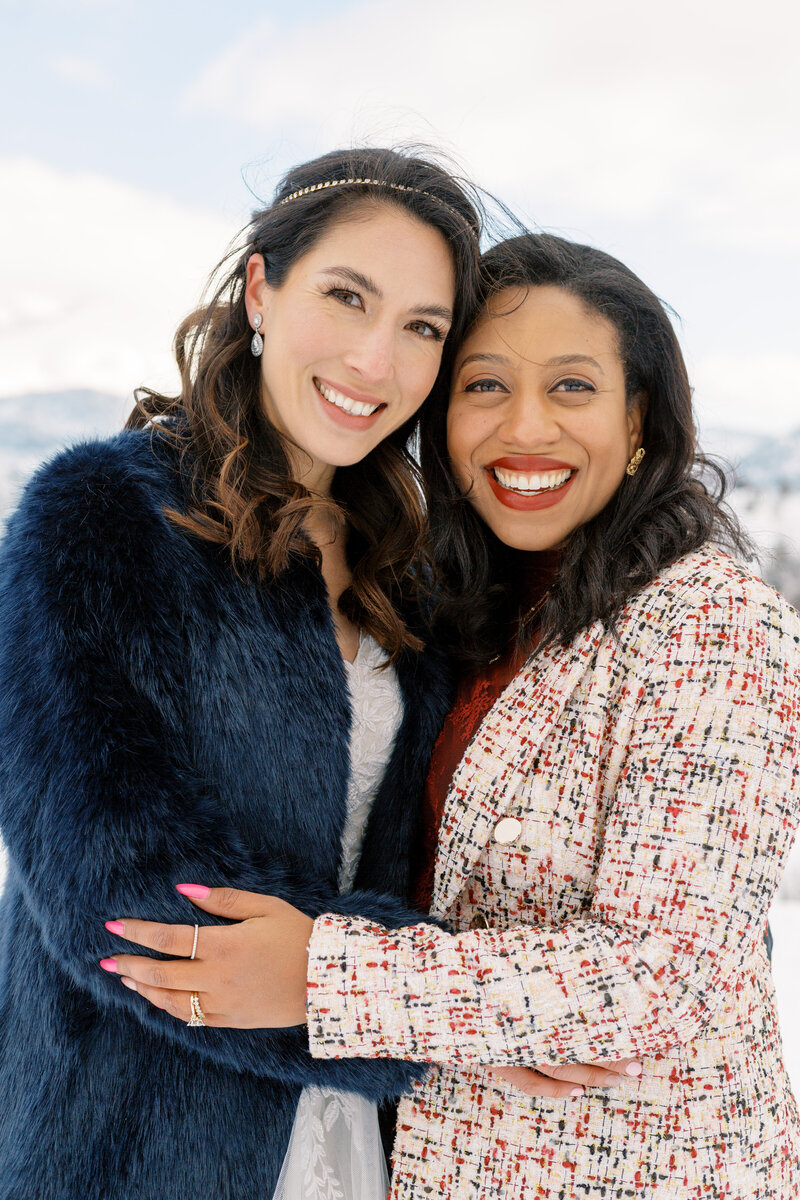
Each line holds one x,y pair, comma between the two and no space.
539,431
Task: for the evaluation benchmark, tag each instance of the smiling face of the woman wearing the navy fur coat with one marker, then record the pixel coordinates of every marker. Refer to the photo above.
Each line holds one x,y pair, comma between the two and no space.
353,338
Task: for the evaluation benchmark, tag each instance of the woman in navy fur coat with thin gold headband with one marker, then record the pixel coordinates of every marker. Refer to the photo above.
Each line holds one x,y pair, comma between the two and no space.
178,610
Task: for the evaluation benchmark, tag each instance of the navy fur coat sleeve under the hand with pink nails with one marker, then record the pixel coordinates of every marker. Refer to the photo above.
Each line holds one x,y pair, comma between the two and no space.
103,806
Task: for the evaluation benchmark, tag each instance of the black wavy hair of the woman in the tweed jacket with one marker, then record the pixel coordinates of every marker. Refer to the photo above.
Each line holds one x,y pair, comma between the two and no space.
671,507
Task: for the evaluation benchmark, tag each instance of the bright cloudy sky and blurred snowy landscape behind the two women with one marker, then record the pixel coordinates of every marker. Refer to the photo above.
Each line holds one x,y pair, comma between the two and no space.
137,139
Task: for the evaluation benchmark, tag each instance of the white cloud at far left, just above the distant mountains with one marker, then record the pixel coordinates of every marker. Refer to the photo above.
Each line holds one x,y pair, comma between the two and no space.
97,278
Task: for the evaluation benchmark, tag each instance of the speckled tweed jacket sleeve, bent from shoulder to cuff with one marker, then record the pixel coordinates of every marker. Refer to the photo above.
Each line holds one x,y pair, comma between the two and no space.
694,721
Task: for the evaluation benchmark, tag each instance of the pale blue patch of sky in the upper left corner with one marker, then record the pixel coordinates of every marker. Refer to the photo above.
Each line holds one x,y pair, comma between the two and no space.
97,85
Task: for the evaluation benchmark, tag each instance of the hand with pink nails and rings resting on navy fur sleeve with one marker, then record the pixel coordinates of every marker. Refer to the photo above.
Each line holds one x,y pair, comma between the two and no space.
248,976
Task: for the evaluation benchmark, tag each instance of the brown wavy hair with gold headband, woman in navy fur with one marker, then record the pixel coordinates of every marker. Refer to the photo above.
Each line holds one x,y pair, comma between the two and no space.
242,491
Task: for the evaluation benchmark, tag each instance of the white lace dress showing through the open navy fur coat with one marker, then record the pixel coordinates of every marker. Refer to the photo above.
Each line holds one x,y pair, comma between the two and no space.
335,1151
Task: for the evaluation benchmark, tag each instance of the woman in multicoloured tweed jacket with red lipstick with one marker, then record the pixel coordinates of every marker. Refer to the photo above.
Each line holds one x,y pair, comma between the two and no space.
622,772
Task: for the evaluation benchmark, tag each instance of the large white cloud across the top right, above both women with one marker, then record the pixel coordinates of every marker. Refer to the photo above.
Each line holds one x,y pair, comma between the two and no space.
618,109
